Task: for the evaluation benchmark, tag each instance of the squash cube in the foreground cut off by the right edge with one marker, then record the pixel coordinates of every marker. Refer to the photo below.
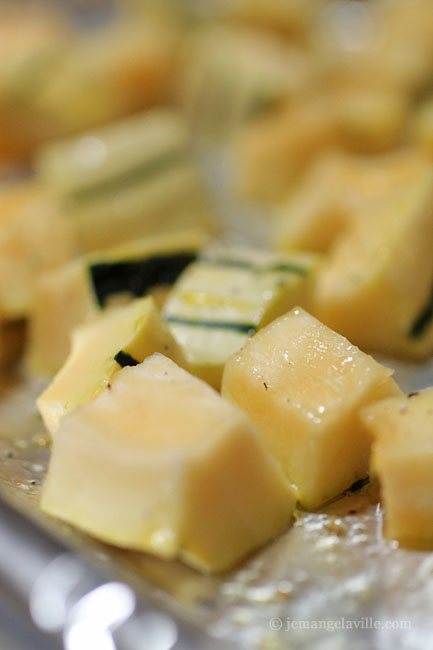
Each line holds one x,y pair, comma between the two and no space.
402,458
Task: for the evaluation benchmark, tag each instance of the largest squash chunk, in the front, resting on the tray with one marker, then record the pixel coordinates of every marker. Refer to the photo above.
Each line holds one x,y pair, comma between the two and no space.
167,466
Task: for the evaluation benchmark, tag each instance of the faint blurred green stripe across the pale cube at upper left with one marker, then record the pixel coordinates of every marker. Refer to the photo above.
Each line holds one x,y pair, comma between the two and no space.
143,171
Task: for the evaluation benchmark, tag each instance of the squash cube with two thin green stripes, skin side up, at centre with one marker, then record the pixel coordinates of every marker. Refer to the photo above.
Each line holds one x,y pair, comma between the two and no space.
229,293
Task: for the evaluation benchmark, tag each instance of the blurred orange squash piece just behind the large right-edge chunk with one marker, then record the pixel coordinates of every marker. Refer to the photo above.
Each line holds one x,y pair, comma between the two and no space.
332,192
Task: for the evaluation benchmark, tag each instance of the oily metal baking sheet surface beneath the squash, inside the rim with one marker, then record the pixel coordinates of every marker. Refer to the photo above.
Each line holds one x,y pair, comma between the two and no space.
331,569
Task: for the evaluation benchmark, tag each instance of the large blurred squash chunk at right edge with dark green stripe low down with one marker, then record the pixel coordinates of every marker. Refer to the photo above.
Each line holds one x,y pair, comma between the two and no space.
376,288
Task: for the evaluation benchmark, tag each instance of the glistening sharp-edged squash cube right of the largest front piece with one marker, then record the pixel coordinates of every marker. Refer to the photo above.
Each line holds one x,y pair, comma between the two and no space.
303,385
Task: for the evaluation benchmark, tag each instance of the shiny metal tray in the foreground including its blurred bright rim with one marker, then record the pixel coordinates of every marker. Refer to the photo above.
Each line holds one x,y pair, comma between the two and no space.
331,581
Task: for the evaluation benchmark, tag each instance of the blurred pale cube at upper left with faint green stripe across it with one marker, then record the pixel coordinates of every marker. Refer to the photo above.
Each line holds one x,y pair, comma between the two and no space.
132,179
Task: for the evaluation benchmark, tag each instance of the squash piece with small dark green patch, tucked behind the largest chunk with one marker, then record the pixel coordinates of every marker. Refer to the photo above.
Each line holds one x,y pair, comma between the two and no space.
122,337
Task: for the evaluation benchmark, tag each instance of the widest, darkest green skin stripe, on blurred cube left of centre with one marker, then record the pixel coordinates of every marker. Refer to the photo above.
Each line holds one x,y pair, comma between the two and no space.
137,277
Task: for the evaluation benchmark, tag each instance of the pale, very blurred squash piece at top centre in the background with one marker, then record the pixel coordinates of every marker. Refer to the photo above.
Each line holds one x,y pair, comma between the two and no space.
235,74
